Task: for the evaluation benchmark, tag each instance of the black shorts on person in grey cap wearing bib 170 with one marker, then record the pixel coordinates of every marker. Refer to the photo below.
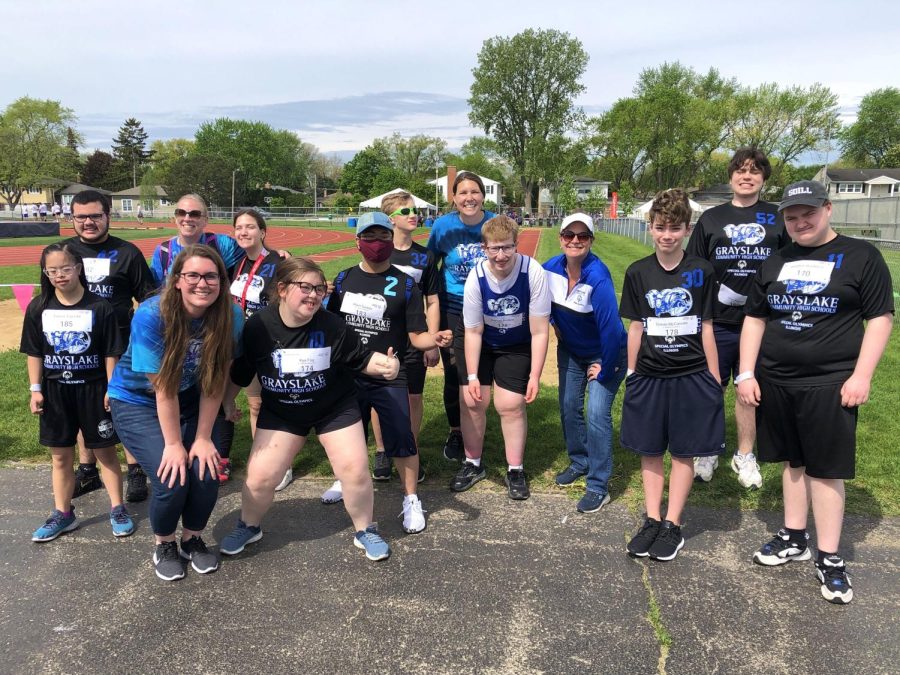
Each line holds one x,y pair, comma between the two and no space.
807,427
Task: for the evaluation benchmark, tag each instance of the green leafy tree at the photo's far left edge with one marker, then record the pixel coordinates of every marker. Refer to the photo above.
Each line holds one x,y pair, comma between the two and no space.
33,146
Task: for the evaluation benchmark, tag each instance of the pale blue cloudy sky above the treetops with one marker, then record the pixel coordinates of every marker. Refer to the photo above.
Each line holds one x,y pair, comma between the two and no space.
343,73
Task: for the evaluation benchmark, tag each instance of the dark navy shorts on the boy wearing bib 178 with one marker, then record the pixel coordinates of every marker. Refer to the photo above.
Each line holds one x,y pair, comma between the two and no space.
685,414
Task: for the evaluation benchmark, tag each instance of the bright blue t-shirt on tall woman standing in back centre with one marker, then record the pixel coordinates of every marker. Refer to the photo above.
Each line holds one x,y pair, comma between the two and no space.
458,246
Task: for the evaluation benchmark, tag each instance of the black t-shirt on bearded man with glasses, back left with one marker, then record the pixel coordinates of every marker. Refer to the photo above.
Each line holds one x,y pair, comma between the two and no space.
116,271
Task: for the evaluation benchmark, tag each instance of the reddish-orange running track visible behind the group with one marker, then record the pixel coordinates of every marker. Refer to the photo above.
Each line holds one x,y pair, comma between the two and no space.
277,237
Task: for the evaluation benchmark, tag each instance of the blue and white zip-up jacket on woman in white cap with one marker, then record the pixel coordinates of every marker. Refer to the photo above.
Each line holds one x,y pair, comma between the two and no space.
588,317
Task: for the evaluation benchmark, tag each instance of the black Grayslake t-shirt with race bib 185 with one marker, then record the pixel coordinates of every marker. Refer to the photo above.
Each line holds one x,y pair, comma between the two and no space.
73,340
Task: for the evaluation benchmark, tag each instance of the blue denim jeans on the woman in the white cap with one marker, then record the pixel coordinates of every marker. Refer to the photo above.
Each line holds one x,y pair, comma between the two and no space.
589,446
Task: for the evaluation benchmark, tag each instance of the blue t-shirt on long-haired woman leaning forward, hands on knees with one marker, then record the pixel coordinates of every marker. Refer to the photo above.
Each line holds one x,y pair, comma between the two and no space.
145,351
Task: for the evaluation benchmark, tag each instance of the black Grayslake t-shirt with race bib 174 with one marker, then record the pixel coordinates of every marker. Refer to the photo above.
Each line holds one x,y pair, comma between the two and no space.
304,372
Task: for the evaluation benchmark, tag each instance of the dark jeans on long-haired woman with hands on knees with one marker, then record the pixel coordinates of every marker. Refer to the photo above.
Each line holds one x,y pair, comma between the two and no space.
139,430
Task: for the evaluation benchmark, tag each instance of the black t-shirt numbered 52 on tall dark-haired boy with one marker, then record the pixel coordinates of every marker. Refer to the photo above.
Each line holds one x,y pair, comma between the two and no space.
736,240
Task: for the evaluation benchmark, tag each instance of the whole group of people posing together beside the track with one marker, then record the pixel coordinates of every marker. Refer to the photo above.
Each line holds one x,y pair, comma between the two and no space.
770,296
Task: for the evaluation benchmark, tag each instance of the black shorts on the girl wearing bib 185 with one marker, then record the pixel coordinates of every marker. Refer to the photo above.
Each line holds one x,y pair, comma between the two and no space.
69,408
